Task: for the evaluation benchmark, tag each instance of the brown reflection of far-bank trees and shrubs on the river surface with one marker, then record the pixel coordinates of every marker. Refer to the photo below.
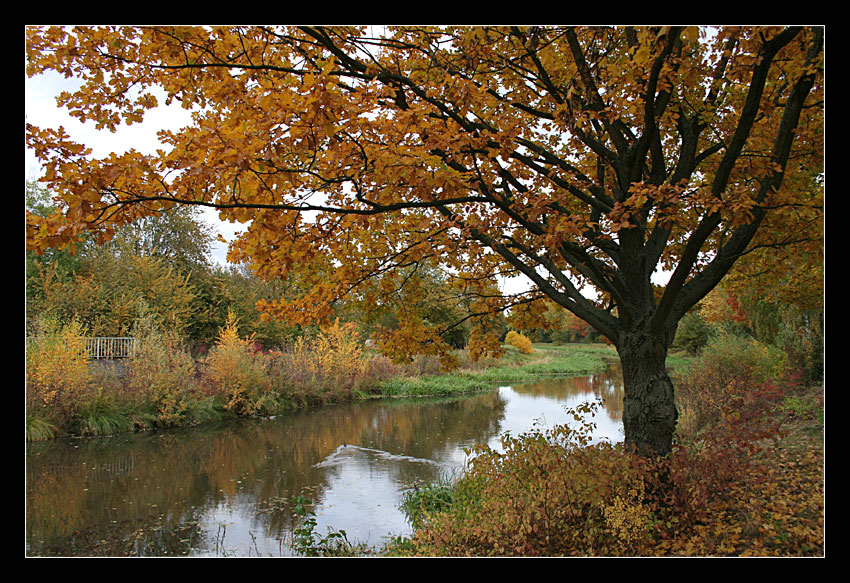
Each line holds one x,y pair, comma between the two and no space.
146,493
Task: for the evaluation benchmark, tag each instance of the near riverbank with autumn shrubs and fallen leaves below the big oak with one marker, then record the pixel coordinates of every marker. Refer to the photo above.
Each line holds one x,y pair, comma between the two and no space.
746,478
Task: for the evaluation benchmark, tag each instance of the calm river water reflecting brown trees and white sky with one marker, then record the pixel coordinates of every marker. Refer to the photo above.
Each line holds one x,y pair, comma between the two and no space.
229,489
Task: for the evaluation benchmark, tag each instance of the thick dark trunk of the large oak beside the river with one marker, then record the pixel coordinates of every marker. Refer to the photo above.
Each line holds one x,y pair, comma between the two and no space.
649,410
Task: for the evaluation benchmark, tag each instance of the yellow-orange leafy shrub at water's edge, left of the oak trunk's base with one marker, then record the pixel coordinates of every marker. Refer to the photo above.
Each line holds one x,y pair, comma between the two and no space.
546,493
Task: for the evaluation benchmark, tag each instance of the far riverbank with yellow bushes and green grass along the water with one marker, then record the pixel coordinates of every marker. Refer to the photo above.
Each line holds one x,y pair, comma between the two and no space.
163,386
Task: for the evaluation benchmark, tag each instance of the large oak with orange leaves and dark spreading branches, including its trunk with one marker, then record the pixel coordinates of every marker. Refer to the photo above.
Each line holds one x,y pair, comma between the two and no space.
582,158
